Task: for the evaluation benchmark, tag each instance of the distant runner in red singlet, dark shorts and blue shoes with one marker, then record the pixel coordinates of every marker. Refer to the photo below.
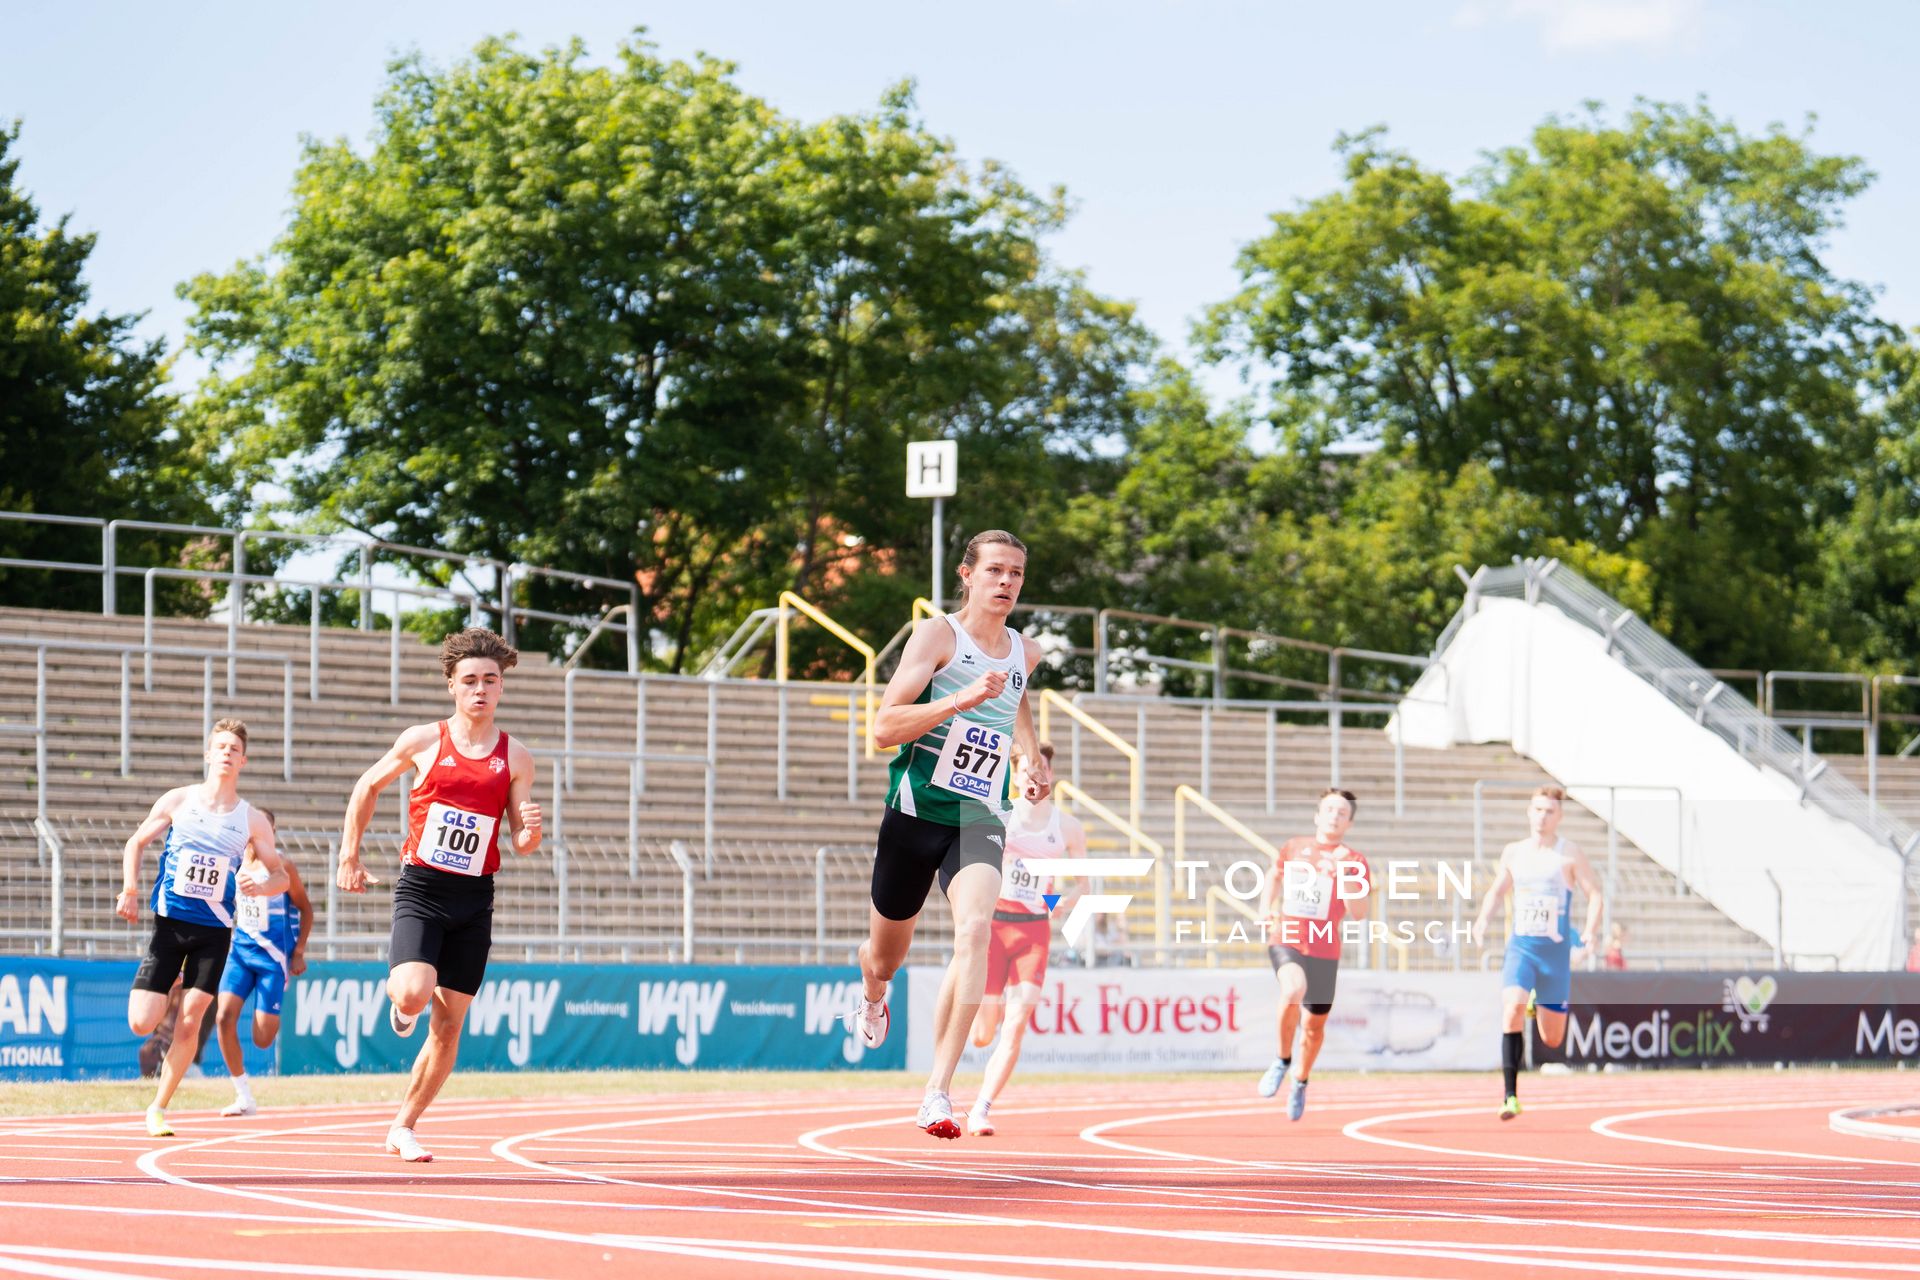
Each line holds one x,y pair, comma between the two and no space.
1312,888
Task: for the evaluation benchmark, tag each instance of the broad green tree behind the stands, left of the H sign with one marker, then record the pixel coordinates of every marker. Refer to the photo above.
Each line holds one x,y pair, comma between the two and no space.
633,321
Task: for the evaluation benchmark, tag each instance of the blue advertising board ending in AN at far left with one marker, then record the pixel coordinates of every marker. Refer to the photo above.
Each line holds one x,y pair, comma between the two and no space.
66,1020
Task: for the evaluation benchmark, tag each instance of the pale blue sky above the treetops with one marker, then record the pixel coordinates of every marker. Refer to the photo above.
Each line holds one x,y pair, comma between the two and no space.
174,131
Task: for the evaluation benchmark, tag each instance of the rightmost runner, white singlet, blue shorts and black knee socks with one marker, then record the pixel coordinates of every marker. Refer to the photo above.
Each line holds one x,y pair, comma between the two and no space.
1537,978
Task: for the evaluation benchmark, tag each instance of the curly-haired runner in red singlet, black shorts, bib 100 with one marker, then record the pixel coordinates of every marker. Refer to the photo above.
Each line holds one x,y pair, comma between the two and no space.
471,778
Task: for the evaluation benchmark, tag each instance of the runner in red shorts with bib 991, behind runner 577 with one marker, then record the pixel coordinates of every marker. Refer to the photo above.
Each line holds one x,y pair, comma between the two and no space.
1022,932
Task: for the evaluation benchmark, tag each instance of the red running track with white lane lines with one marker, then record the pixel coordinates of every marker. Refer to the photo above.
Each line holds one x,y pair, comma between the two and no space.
1725,1175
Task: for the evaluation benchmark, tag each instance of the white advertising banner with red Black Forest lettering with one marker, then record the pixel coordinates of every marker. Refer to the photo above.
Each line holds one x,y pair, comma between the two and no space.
1224,1020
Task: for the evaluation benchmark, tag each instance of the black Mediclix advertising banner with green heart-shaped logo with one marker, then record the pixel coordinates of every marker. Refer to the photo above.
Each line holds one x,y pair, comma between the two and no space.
1692,1020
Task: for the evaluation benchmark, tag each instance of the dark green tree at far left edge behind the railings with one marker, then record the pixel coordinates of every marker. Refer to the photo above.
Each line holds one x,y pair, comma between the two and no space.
85,427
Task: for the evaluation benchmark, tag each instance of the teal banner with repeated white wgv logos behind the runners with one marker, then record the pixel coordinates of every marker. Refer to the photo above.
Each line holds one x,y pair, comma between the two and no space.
571,1018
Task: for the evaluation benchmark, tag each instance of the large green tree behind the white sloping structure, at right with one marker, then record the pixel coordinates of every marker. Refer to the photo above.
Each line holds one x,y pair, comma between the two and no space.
1629,323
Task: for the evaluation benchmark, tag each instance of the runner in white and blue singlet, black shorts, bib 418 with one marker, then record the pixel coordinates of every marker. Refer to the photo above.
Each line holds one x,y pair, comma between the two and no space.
208,830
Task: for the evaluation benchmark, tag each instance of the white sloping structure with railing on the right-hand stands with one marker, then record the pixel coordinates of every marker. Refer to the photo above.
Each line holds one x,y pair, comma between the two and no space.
1765,832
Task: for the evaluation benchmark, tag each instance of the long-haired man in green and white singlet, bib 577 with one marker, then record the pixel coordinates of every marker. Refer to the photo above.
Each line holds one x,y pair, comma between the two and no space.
957,707
